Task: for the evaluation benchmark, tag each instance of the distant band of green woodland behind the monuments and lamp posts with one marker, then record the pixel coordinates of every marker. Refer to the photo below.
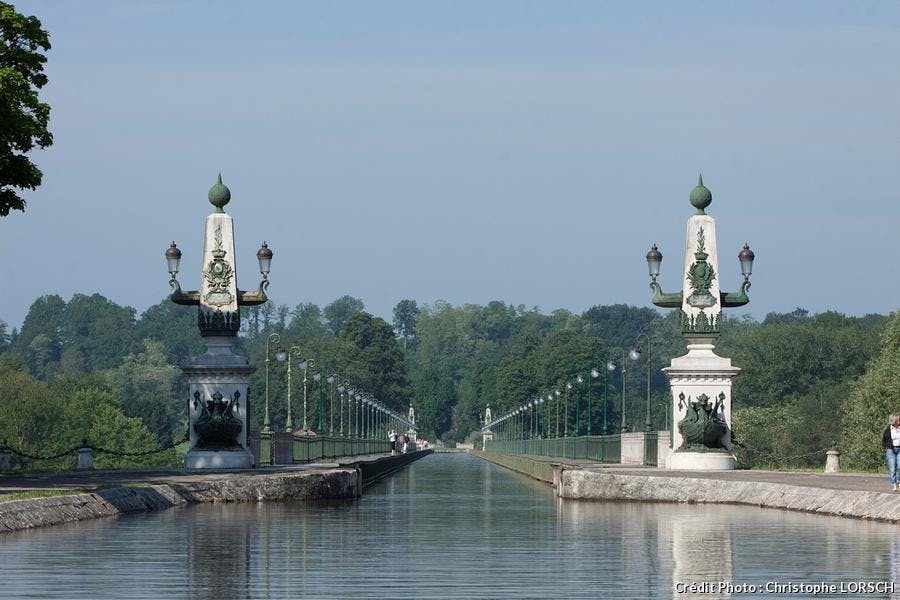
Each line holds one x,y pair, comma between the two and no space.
91,368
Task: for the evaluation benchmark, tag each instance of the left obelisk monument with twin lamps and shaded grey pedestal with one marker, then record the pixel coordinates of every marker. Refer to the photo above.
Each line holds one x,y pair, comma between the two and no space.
218,406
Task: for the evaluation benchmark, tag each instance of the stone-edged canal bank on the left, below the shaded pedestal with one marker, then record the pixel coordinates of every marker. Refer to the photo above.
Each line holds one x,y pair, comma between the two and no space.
114,493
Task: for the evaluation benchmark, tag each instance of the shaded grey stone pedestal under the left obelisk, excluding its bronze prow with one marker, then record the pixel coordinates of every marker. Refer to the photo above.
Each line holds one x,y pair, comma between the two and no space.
219,371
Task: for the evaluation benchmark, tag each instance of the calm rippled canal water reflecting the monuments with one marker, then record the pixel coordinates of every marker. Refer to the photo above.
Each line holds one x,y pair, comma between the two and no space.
448,526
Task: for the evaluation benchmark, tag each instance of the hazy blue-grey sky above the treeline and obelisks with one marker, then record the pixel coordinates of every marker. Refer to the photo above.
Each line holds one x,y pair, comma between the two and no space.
466,151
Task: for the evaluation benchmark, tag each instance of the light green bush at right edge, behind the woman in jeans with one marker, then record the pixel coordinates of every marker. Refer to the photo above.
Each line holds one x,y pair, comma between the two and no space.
875,396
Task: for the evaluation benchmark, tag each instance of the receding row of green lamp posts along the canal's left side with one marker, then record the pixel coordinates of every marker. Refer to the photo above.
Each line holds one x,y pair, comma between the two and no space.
358,414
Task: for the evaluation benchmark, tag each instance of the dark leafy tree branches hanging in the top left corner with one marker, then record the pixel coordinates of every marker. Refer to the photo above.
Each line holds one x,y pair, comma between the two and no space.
24,116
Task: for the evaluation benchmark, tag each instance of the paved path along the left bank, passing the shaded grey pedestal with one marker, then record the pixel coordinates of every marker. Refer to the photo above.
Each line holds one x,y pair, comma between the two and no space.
90,480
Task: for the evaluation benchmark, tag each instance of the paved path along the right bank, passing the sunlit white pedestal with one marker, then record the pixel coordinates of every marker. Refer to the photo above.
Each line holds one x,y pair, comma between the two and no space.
863,482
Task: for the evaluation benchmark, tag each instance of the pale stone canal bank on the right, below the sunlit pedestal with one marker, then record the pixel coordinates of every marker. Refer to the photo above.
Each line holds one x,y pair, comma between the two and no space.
858,496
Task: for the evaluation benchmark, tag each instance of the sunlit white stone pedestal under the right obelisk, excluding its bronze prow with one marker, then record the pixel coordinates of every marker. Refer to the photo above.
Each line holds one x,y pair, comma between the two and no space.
699,373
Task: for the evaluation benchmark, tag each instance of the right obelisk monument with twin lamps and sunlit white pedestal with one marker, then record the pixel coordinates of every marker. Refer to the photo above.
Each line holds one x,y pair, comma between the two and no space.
701,380
